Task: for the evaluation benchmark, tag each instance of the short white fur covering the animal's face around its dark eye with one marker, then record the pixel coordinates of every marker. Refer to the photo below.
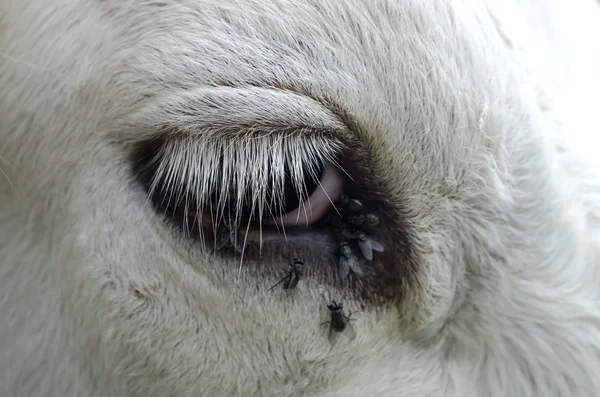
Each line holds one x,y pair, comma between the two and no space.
481,115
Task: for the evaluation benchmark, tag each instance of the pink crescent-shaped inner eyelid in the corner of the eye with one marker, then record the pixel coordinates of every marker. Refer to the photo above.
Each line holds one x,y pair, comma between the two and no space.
320,201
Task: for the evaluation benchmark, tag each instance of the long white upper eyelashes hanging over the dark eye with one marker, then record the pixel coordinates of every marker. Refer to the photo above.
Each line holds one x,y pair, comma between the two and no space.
191,169
